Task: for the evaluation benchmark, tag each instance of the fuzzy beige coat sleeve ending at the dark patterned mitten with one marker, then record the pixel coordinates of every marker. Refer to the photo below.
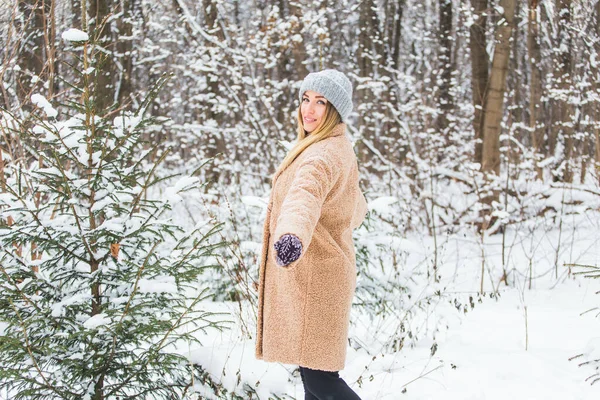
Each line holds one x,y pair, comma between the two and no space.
301,207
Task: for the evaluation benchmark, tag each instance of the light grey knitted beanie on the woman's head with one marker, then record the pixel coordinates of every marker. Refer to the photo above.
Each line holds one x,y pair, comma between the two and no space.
334,86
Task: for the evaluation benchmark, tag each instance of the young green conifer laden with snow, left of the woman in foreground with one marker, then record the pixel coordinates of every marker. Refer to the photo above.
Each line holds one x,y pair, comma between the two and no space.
98,284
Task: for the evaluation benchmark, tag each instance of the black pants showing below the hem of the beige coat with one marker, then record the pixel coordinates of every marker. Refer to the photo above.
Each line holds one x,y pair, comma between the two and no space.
324,385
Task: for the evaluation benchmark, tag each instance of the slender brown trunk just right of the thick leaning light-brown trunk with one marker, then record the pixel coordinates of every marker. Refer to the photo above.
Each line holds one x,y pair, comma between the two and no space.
535,81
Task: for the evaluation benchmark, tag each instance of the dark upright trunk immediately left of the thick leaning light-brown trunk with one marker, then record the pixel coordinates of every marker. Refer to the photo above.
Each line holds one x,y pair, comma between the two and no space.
480,70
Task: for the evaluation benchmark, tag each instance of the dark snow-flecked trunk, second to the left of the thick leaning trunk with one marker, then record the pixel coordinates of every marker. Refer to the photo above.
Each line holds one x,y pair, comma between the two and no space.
445,101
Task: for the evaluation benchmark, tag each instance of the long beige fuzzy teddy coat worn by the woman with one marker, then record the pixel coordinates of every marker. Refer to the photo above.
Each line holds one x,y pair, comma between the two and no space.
304,308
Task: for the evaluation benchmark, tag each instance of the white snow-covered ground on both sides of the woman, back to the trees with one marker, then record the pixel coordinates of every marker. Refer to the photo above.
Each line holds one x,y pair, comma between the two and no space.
518,344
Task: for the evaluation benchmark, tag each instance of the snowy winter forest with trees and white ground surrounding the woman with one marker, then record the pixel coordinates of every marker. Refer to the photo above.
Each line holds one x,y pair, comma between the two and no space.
138,140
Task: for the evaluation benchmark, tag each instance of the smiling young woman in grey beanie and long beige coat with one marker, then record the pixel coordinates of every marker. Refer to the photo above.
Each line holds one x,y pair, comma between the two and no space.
307,269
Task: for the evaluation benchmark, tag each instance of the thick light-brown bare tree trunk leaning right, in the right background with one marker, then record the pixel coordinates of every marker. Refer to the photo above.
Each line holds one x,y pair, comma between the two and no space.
495,98
